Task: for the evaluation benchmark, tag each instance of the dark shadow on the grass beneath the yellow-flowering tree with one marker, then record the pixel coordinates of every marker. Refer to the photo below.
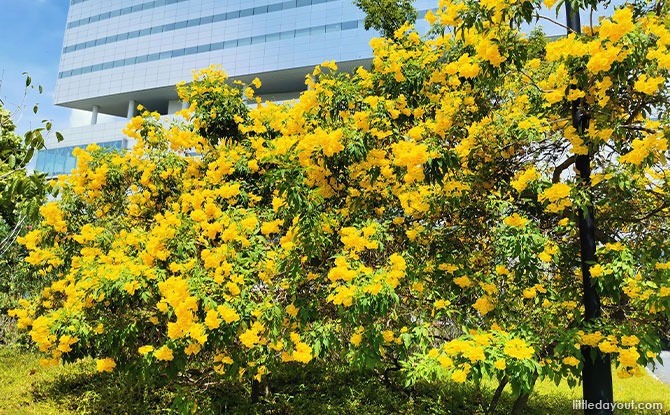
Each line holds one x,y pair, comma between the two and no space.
295,390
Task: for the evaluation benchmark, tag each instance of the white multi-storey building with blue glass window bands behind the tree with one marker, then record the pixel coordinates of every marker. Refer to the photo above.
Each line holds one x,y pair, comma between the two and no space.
118,54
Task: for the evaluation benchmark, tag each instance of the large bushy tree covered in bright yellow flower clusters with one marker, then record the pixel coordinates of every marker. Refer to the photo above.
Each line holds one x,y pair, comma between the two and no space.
418,215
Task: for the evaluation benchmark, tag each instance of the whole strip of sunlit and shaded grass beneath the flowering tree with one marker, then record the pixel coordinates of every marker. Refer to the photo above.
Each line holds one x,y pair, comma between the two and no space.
26,388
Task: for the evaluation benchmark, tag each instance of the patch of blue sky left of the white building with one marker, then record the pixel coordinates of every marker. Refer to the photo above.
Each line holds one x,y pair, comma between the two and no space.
31,36
